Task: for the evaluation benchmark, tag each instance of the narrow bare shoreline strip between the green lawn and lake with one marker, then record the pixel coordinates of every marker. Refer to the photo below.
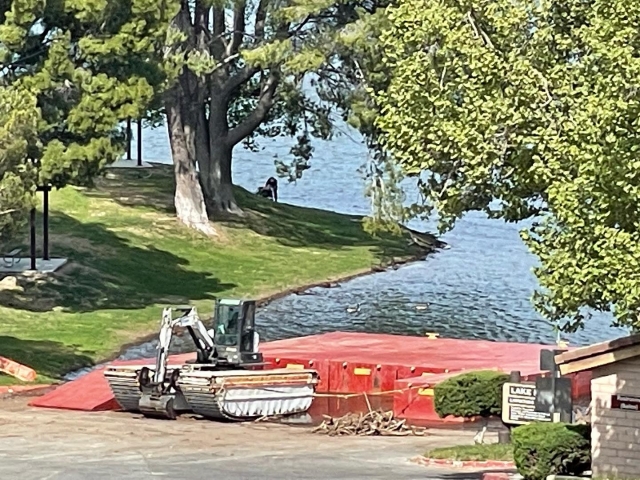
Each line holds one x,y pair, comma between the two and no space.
267,299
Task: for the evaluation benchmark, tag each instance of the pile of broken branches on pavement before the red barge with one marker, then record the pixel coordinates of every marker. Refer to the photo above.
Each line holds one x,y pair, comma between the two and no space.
377,422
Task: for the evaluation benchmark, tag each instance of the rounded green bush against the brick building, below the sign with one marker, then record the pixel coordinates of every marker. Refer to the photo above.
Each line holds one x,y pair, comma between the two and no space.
542,449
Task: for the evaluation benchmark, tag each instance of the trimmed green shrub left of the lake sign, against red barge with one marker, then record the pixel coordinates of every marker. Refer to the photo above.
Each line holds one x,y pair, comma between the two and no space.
470,394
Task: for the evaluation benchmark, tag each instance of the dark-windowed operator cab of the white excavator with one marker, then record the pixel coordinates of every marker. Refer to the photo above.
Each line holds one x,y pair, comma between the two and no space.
234,333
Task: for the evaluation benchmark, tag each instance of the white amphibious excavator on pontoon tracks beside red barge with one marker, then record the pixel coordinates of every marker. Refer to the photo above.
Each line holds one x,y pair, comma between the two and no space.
227,379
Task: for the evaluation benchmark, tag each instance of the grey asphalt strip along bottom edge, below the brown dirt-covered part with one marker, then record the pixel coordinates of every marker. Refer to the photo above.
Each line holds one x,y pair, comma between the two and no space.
201,467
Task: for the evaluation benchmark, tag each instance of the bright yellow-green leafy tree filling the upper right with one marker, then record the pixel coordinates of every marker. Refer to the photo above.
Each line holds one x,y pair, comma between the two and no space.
526,110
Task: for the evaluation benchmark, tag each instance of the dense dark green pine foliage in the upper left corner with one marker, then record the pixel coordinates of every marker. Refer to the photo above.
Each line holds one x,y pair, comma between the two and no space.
70,71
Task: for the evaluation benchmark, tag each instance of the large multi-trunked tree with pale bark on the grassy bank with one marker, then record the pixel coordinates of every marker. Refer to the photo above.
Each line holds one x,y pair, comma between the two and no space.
243,69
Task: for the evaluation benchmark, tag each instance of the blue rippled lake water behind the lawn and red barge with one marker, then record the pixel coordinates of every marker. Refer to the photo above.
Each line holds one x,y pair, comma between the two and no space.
479,288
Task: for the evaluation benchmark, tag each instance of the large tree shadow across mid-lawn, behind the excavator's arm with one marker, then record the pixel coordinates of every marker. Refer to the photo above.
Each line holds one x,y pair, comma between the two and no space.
107,272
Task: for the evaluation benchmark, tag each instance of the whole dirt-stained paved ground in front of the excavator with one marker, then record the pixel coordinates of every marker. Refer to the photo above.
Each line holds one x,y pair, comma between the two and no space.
38,444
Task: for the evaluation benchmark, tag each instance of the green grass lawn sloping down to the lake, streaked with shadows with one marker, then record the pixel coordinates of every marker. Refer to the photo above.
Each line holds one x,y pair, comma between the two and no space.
129,257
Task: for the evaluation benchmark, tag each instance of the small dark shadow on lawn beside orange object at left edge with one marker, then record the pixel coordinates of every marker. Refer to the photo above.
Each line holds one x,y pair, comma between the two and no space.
48,358
